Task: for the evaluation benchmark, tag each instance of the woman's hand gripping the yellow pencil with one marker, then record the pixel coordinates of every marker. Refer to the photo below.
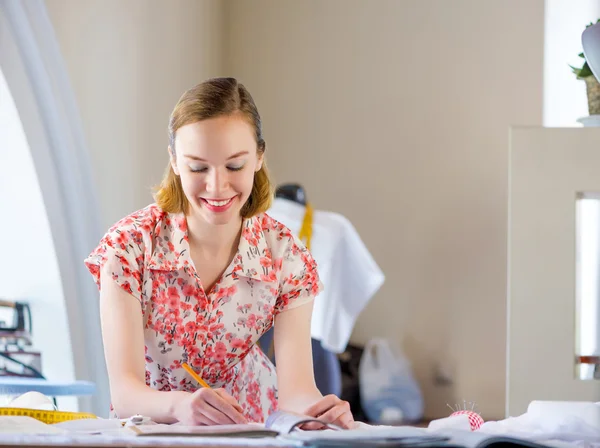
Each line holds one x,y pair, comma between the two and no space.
209,407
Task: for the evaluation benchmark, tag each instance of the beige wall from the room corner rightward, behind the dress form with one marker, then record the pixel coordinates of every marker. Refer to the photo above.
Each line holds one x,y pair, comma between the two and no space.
396,114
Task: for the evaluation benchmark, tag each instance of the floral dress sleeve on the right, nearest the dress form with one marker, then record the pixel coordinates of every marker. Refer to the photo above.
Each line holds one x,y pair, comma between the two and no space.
299,280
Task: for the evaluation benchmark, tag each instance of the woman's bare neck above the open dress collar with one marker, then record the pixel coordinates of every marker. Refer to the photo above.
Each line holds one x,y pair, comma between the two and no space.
210,241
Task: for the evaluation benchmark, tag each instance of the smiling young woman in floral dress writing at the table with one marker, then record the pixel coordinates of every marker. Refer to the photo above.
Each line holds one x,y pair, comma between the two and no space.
200,275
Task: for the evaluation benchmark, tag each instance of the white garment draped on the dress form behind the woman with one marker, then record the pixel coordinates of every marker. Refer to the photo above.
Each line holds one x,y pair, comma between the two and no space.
347,270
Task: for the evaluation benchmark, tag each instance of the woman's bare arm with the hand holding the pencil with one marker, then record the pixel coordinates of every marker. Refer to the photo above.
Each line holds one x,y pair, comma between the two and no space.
123,337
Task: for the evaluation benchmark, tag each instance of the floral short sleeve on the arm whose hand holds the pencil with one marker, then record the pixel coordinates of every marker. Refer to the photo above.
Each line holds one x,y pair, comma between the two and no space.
120,251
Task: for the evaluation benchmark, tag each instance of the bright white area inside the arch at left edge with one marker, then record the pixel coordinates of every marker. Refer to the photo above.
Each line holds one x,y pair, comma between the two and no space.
29,269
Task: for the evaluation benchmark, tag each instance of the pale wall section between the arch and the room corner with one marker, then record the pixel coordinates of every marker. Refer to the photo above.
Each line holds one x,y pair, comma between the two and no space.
128,63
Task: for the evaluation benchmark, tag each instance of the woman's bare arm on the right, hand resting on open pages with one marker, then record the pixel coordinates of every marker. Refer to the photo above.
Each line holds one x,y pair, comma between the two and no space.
295,376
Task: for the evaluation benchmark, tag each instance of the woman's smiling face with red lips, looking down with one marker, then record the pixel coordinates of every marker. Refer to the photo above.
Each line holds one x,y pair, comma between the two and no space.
216,160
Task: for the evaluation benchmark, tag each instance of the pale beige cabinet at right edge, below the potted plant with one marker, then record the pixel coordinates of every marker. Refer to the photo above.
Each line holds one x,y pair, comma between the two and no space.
553,302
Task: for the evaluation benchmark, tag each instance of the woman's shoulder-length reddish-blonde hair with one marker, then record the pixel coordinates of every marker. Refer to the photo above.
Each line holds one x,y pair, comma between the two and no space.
215,98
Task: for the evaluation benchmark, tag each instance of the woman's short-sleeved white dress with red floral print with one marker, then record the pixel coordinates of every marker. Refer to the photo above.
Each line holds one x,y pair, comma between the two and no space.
214,331
